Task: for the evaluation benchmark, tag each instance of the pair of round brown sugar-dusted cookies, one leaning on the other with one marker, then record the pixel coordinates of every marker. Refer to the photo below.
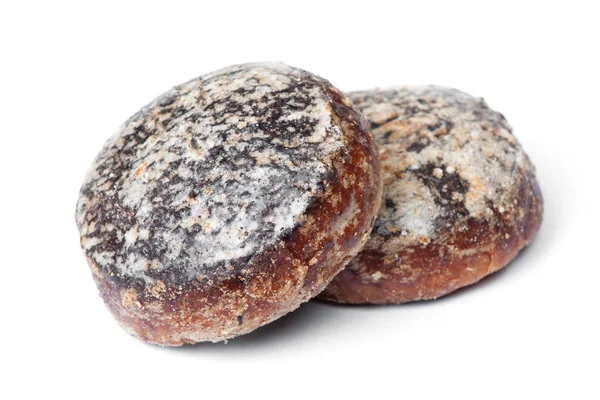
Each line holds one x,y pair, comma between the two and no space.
233,198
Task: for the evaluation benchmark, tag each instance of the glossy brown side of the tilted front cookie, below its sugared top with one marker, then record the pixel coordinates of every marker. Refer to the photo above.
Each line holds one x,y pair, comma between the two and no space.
237,297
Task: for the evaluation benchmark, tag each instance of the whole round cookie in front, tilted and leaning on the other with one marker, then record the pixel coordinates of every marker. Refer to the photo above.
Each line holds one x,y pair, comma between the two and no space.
227,202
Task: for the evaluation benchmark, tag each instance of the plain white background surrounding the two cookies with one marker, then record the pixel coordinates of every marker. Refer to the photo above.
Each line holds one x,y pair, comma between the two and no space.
72,73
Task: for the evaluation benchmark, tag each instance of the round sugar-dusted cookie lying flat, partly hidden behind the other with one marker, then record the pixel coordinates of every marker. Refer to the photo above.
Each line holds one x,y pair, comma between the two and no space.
460,197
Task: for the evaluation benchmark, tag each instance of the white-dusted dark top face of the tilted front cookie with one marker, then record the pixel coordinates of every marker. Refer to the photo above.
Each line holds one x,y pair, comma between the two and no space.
210,172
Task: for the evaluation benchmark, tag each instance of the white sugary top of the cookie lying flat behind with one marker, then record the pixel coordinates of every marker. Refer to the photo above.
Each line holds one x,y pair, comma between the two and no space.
446,157
